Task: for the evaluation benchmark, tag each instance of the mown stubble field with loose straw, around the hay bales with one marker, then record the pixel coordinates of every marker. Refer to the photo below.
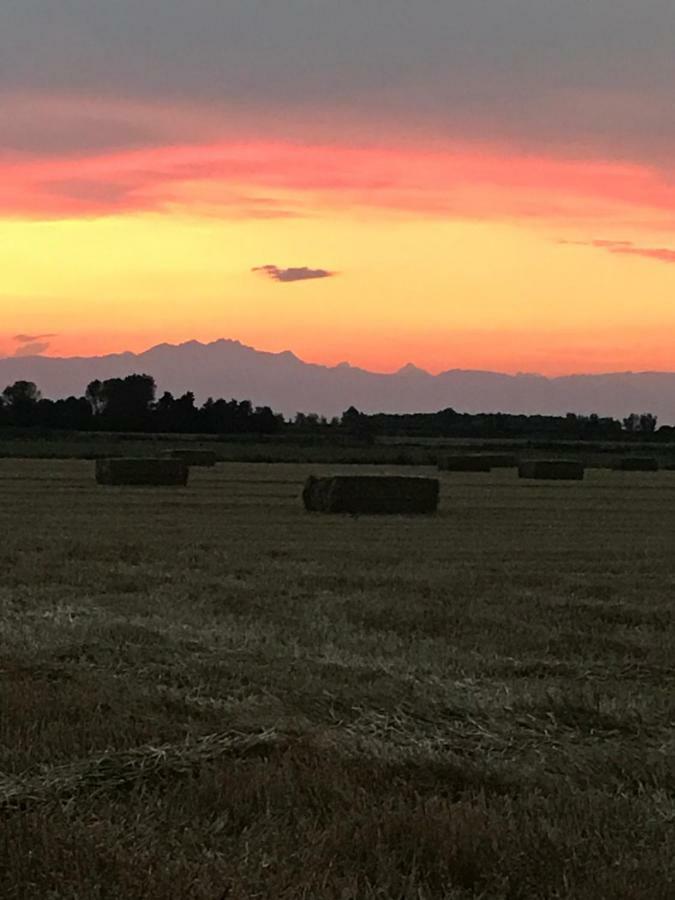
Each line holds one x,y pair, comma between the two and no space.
208,694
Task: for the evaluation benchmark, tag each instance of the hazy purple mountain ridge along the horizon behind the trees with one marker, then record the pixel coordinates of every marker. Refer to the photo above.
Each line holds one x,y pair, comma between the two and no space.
227,368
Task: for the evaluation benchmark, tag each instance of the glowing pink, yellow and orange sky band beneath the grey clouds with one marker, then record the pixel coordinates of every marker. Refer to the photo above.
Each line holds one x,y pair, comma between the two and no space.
447,254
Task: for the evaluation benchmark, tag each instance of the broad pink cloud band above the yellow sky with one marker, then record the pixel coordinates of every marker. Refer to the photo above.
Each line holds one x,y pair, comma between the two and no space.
251,177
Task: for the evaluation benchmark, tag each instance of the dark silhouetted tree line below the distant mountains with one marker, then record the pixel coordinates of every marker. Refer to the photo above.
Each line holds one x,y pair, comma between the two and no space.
131,404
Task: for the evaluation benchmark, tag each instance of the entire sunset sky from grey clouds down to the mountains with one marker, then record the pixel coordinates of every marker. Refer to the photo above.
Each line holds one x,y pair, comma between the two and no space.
478,184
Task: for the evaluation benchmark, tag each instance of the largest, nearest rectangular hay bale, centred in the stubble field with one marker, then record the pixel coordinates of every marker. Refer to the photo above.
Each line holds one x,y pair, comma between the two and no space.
371,494
